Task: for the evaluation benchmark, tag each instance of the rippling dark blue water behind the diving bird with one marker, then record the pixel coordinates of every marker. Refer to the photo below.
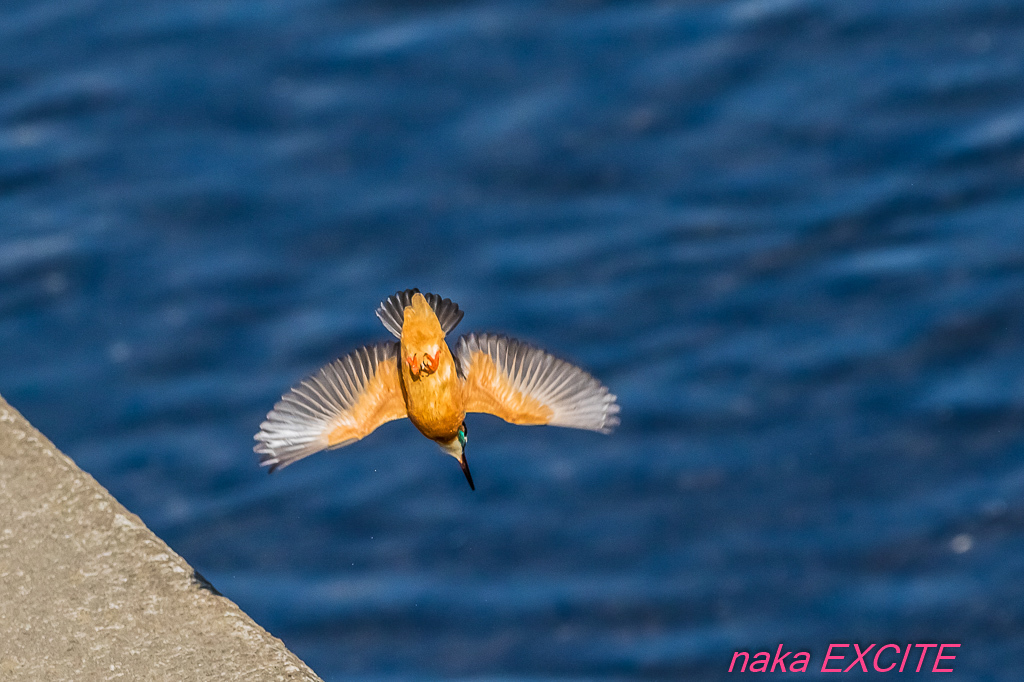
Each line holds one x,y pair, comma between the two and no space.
787,233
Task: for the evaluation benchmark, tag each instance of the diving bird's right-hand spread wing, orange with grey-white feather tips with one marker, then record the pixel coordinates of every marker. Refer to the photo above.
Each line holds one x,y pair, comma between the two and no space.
527,386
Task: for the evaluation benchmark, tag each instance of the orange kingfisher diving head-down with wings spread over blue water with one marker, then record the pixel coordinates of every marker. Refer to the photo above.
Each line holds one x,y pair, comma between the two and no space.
420,378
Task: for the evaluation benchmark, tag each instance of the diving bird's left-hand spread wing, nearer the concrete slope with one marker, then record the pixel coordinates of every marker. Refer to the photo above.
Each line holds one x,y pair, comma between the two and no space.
339,404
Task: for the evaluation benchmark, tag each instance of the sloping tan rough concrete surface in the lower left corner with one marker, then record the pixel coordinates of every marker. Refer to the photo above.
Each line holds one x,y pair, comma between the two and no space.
89,593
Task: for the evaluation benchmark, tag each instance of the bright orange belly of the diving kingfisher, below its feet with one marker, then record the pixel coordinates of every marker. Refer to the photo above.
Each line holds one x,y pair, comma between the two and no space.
435,401
